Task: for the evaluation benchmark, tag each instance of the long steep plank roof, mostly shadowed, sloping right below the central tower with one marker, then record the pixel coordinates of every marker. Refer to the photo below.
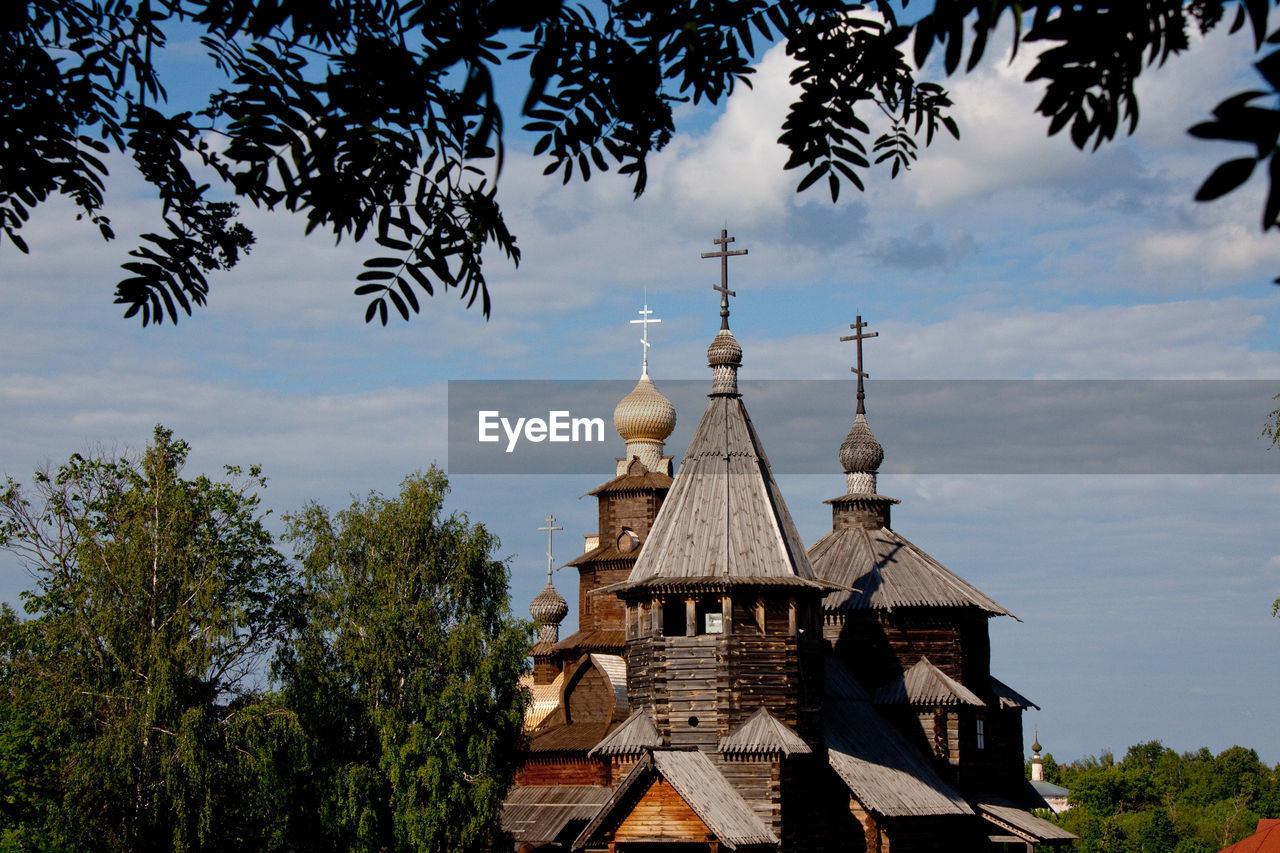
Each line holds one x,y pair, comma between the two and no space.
886,773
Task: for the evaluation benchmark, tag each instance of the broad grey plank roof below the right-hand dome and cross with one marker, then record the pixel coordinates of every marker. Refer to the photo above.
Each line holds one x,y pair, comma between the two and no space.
886,571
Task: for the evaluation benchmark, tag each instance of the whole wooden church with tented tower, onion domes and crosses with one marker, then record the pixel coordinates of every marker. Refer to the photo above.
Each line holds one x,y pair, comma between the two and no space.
729,690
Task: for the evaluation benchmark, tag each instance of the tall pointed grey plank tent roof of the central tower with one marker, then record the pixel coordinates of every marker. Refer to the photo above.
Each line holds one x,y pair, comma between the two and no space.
725,516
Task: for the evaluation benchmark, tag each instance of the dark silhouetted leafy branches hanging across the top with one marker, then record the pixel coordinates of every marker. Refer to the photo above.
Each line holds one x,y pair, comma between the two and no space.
380,118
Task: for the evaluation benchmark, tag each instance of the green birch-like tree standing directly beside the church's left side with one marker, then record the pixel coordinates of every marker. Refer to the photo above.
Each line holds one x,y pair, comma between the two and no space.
404,665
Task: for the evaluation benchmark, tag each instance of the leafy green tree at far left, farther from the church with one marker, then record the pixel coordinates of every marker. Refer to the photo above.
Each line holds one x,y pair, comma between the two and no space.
131,715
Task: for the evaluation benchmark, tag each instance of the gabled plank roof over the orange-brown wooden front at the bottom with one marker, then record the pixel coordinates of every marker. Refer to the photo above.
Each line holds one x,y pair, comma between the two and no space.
705,791
